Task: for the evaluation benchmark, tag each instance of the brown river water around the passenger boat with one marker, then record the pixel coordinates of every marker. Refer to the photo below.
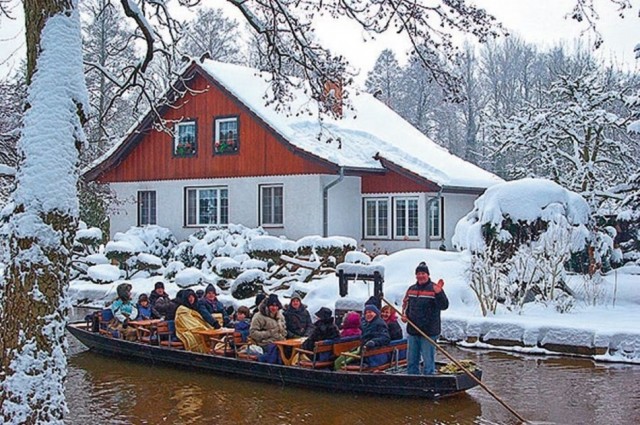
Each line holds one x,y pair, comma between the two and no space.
541,389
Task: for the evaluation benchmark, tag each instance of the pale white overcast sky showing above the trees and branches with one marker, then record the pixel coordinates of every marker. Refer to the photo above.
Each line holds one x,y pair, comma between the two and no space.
537,21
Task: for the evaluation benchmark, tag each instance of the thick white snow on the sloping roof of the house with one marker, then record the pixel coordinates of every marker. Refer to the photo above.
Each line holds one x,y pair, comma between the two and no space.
370,128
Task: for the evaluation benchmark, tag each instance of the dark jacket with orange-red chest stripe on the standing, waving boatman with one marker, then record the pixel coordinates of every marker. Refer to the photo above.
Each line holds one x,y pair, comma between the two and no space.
422,307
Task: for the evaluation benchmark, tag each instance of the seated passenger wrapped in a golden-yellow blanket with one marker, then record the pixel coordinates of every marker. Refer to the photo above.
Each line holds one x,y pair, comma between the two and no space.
189,320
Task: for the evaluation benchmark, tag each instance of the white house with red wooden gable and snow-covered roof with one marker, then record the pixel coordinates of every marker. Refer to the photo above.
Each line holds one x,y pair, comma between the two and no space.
368,175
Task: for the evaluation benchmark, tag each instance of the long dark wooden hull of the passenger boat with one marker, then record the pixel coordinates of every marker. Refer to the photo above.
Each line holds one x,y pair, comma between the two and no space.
390,382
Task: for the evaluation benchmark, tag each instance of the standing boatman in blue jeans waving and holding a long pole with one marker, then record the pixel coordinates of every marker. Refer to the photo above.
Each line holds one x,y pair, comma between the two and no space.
421,307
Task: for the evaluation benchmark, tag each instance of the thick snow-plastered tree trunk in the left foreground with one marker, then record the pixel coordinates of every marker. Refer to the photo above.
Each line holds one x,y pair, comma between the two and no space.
39,223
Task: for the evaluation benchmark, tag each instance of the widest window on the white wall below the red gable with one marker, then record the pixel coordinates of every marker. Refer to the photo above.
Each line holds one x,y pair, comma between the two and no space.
207,205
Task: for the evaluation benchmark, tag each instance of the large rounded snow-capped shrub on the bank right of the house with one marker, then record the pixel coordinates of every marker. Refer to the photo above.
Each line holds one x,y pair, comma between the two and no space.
521,235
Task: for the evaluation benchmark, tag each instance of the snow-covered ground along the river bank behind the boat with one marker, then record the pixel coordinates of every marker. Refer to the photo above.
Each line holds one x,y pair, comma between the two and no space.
612,324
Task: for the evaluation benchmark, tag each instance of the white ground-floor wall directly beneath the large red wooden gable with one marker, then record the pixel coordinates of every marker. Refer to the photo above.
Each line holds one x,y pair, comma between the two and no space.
302,204
